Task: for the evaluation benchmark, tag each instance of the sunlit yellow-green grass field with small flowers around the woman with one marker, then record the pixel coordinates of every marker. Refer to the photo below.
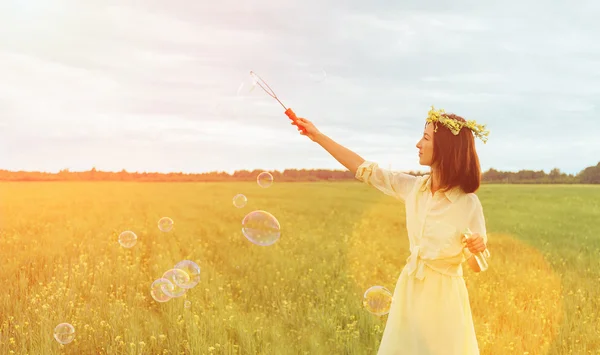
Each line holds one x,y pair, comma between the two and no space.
61,262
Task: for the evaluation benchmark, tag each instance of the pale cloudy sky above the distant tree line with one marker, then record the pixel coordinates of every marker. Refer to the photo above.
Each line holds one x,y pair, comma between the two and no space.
164,86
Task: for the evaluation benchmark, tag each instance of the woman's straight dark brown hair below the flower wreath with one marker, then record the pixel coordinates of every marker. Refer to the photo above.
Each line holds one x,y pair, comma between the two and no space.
457,160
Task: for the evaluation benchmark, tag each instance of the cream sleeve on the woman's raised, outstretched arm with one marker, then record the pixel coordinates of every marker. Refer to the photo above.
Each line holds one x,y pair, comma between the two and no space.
395,184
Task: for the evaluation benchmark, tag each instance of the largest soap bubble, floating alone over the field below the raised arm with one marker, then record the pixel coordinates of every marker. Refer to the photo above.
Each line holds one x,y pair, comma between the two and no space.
261,228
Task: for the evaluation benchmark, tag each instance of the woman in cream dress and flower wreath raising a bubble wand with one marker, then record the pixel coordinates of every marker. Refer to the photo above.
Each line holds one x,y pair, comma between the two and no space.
430,313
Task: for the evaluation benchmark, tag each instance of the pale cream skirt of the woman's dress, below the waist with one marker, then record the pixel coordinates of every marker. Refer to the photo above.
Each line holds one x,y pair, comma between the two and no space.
429,316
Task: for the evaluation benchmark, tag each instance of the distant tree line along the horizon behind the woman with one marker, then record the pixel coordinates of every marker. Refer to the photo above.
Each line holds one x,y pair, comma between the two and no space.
589,175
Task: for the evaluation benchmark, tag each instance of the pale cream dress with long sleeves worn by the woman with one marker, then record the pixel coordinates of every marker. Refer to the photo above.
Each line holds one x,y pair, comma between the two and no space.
430,312
